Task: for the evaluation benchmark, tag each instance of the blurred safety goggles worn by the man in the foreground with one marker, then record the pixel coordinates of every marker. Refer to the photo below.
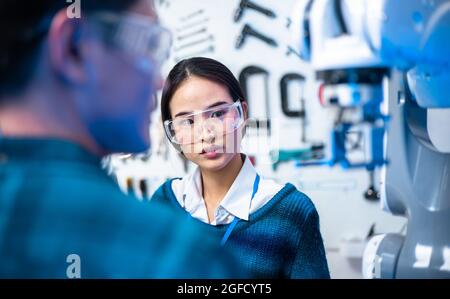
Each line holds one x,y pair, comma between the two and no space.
136,34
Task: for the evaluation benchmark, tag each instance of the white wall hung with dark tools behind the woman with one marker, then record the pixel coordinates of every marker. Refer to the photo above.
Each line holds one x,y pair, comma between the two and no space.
337,194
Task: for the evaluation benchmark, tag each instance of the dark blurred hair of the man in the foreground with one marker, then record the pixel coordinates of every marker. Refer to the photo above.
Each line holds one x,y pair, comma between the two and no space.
23,27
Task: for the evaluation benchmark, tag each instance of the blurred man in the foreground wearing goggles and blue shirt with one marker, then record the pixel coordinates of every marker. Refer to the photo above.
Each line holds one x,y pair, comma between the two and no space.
72,90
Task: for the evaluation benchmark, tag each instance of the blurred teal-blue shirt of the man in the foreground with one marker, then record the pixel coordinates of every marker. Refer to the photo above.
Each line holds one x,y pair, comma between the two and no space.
55,201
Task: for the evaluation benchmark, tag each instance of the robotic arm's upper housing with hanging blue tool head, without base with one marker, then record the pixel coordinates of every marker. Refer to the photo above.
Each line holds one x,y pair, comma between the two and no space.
354,44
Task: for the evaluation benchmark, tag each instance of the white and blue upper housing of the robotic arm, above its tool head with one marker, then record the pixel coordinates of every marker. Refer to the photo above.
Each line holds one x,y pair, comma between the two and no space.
344,39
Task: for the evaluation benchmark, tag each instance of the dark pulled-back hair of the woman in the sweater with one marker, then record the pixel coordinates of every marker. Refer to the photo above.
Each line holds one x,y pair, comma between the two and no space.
206,68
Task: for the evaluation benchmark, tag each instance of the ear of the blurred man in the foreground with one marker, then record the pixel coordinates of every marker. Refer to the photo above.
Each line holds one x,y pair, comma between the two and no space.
66,55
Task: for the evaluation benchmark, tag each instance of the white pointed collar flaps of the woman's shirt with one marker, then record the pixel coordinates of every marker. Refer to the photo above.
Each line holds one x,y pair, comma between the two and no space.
238,198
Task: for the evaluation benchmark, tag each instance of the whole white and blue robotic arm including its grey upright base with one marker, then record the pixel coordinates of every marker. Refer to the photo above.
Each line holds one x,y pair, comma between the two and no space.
357,49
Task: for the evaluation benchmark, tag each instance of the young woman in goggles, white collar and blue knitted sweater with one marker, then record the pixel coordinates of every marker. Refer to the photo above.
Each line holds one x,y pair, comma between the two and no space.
274,229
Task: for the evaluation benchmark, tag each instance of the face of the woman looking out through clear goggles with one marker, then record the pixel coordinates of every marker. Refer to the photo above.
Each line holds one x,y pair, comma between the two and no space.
212,147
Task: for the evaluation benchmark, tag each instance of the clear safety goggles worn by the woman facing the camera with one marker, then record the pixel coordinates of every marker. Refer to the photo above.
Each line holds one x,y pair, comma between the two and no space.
191,128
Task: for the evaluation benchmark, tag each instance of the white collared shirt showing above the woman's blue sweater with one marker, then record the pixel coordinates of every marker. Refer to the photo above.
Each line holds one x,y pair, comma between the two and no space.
236,203
